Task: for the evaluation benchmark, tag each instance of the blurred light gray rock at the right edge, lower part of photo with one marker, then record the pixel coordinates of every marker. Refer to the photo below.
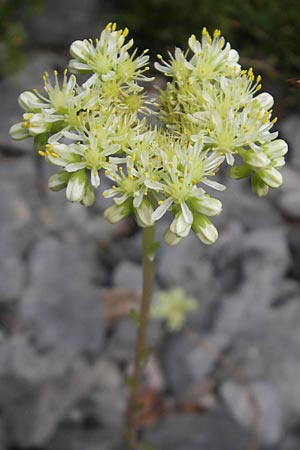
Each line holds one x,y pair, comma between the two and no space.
269,350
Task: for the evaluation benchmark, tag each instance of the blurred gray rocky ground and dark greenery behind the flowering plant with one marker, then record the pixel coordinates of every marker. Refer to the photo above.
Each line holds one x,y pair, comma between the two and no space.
230,380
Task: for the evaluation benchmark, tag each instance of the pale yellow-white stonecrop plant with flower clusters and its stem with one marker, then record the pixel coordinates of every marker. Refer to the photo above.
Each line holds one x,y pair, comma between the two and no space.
209,113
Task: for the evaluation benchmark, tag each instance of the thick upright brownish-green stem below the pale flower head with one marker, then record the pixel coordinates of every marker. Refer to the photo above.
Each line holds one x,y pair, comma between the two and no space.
148,277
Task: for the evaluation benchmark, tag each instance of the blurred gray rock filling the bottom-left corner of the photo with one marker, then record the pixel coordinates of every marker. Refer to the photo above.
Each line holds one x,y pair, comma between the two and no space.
36,391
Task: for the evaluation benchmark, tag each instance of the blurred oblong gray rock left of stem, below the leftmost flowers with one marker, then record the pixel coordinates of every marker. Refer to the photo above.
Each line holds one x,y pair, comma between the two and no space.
60,308
